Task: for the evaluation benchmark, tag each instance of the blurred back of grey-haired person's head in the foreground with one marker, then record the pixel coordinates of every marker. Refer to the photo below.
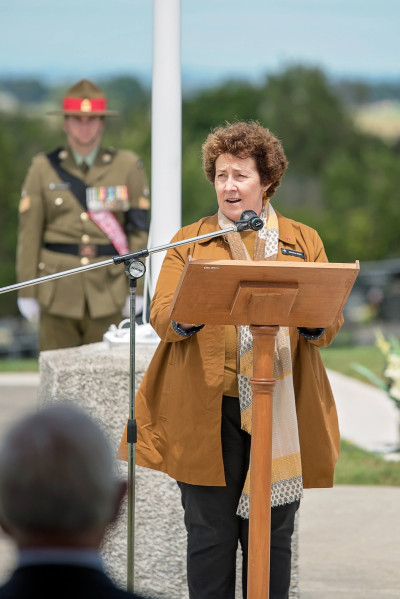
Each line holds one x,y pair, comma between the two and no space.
58,478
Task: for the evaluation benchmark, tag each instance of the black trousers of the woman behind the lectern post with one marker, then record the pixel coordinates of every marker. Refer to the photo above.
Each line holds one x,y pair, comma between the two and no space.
214,530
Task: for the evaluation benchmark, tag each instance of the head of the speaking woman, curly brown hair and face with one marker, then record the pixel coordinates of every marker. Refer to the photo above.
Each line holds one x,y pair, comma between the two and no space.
245,162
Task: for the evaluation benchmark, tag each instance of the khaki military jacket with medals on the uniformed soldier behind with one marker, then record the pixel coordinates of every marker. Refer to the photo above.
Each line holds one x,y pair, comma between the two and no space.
50,213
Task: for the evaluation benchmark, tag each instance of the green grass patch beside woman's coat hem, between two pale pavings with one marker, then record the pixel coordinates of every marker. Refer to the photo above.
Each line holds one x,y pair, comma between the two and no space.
358,467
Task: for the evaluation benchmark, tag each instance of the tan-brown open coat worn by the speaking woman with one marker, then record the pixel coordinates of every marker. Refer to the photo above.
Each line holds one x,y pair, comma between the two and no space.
178,405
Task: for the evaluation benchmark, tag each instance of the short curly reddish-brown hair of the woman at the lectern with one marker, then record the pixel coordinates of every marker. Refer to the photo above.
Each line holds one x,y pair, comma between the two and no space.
244,139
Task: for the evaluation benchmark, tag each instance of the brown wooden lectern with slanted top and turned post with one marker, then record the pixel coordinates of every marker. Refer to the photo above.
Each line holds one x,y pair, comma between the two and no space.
264,295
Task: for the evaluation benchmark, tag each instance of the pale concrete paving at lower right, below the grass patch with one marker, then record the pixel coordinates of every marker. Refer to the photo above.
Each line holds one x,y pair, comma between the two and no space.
349,543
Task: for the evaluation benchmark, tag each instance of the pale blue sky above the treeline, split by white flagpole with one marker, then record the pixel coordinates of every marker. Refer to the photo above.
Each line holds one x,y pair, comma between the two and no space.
220,38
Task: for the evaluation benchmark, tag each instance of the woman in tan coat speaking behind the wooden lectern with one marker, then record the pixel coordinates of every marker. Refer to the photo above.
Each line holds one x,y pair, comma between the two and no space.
193,407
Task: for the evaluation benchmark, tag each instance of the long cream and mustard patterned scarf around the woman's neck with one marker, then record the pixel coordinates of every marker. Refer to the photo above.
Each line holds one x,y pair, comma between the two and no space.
287,481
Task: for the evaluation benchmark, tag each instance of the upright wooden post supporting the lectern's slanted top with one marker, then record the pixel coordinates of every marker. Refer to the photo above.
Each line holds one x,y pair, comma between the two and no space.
262,384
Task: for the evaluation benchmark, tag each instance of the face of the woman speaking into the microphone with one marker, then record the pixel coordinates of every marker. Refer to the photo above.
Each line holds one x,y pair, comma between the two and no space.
238,186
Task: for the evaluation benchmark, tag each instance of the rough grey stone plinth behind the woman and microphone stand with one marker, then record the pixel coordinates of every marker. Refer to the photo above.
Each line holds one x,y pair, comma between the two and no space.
96,378
